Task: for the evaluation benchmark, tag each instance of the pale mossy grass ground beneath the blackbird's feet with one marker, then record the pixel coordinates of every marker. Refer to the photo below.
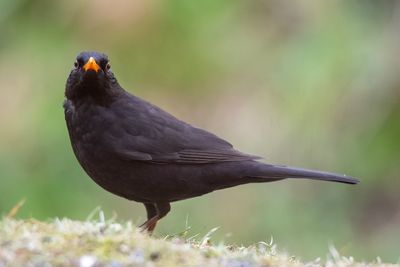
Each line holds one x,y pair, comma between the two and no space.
64,242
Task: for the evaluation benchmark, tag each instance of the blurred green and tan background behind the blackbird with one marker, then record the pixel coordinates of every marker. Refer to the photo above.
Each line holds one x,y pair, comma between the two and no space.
313,83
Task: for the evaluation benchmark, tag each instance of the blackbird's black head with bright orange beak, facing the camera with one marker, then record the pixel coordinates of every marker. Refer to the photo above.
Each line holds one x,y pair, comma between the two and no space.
91,76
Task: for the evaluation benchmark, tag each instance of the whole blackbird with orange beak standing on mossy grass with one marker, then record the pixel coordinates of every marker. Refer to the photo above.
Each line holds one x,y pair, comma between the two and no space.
140,152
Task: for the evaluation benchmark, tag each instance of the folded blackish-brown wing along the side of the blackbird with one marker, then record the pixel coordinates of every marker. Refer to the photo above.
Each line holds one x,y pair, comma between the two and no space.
147,133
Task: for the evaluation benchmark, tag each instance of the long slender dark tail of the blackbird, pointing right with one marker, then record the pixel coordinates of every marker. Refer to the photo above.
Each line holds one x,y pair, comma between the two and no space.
281,172
